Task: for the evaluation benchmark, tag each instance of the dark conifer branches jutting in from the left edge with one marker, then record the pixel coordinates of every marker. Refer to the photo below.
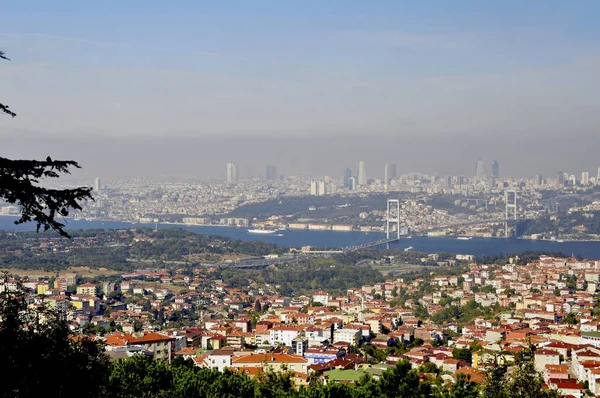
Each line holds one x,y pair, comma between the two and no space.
19,184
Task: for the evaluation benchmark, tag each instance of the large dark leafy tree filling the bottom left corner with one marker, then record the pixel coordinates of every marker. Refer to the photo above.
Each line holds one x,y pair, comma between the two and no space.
37,352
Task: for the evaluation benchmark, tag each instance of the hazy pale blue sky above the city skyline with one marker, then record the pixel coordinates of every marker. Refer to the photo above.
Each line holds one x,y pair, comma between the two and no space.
149,88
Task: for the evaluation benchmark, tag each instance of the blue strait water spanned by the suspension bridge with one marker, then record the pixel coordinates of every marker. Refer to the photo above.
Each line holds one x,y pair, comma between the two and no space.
334,240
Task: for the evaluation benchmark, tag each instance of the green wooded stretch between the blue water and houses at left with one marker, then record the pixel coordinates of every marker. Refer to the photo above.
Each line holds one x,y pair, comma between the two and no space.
167,245
